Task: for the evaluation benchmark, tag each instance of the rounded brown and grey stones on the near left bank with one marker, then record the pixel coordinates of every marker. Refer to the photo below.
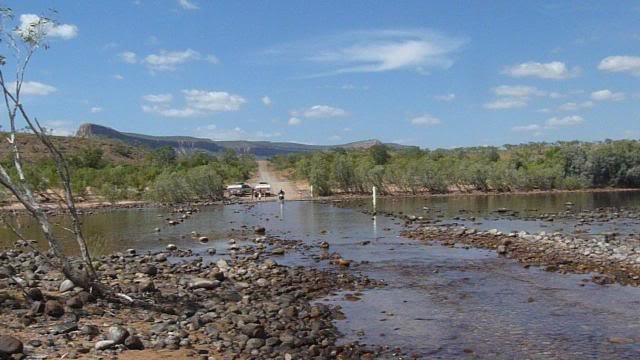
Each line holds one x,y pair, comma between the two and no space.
244,306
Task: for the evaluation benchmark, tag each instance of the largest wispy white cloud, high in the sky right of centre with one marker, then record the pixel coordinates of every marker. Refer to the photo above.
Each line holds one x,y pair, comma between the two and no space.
376,51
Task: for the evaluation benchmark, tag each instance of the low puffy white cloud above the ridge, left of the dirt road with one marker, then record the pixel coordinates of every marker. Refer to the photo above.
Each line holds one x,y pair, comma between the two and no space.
198,103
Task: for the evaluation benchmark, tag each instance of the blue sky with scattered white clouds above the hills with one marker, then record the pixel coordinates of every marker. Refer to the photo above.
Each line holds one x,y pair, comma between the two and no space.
436,74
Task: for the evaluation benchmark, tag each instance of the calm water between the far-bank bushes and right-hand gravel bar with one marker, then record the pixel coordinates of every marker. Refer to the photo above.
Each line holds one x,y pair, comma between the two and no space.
526,207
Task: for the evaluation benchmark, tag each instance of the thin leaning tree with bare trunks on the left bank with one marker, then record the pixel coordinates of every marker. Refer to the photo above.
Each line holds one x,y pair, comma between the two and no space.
23,42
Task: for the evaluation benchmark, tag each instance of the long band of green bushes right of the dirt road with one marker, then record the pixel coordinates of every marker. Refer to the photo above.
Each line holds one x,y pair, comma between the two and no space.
534,166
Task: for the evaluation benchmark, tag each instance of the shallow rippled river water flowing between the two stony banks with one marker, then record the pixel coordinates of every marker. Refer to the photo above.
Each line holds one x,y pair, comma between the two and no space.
439,302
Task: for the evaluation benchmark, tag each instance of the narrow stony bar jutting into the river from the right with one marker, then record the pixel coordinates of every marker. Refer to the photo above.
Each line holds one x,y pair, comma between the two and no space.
610,259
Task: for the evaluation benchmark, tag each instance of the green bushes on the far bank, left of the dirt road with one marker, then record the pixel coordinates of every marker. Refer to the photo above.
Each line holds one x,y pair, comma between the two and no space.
162,176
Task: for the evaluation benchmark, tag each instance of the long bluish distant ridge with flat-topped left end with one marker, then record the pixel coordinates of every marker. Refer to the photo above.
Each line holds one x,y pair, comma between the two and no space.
190,144
